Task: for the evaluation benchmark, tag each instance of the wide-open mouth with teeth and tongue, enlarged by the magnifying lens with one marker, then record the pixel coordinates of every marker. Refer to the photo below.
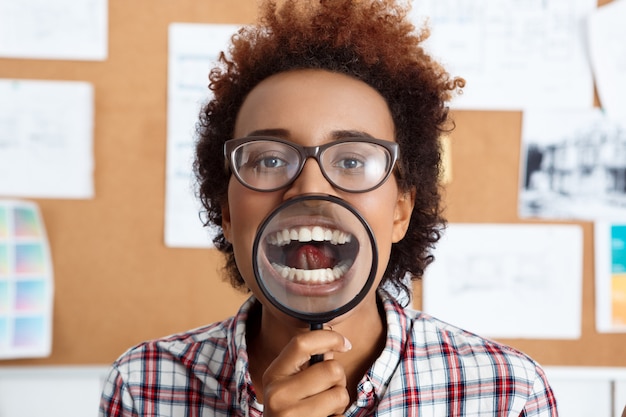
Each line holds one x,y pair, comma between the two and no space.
311,255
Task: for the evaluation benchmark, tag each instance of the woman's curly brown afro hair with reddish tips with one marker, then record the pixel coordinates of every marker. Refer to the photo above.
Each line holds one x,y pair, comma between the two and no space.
370,40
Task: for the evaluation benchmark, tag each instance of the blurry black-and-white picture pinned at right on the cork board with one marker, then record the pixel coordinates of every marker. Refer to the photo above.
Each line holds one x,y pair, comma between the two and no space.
573,165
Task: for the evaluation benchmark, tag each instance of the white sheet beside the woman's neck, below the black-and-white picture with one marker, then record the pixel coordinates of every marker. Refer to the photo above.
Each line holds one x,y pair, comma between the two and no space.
508,280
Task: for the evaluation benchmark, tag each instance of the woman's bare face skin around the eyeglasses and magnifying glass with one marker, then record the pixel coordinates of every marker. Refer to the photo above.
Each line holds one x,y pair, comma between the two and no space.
311,108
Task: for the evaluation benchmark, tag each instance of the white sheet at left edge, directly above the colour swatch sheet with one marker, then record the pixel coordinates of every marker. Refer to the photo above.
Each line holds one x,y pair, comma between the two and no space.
46,139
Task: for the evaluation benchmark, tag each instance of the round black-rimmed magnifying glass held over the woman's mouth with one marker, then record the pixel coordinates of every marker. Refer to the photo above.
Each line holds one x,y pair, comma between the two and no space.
315,258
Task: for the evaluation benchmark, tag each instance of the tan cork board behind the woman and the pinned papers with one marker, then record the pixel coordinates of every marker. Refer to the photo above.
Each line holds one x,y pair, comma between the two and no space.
116,283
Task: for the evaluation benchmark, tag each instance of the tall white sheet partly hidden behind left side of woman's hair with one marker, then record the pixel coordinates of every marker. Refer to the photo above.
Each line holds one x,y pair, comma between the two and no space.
193,51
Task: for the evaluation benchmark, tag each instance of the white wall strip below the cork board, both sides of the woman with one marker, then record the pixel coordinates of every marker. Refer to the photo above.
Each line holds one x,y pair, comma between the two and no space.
75,391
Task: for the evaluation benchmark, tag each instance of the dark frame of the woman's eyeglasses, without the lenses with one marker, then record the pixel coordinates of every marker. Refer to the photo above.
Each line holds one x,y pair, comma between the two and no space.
306,152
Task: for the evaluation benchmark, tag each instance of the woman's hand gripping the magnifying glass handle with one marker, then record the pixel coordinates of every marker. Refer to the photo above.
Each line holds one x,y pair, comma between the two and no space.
292,387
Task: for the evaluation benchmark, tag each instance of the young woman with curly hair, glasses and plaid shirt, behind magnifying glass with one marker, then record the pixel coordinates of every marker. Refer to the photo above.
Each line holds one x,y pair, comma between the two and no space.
334,98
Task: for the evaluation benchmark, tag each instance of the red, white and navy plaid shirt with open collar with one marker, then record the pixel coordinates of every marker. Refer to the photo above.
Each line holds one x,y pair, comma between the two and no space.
428,368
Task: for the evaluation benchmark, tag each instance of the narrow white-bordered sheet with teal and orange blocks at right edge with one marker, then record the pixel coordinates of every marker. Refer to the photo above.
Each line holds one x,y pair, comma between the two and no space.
610,268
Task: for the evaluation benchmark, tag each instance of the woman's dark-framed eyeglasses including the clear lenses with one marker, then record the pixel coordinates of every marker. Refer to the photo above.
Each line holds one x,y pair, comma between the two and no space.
353,164
